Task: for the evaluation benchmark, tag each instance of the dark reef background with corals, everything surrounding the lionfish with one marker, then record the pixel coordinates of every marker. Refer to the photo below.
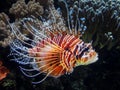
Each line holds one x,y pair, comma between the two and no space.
102,19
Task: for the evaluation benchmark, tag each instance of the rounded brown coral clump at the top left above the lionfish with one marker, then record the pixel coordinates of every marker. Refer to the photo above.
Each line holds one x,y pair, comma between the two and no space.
21,9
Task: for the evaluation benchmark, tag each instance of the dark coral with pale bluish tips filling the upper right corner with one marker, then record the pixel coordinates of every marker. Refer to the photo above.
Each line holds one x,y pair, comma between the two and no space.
102,21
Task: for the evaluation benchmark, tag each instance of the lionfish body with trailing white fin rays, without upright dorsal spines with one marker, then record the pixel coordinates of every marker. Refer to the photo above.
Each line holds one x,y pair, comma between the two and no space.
52,53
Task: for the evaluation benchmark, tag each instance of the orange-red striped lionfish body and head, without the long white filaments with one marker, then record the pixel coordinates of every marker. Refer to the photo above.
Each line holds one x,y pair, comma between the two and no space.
60,53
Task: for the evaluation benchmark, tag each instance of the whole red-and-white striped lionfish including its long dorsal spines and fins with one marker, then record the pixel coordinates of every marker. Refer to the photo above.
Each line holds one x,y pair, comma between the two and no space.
51,50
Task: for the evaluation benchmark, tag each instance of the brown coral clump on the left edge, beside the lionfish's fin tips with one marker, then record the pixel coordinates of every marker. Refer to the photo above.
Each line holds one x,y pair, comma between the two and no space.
5,34
